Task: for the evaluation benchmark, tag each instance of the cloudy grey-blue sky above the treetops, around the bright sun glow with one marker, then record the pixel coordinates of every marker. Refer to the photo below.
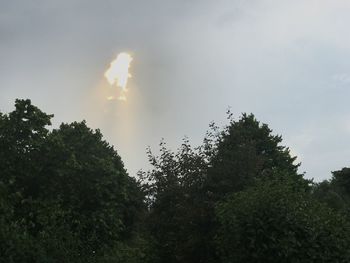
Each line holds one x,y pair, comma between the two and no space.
288,62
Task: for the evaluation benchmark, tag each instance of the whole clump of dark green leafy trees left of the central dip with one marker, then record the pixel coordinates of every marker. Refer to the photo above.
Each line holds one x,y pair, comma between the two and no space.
67,190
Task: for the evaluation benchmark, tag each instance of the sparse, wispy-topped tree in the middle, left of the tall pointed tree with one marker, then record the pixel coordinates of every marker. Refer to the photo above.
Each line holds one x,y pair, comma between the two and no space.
177,210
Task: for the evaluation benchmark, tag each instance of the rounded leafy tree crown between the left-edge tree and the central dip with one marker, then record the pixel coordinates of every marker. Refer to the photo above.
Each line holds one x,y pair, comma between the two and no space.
88,177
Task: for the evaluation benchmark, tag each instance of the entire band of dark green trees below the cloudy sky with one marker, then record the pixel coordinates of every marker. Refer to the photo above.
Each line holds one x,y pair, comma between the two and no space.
65,196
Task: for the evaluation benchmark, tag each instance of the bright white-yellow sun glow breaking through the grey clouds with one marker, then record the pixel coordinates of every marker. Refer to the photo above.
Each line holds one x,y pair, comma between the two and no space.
118,73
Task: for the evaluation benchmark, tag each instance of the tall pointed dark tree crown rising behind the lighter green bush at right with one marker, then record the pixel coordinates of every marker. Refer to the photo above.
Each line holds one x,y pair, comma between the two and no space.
247,150
